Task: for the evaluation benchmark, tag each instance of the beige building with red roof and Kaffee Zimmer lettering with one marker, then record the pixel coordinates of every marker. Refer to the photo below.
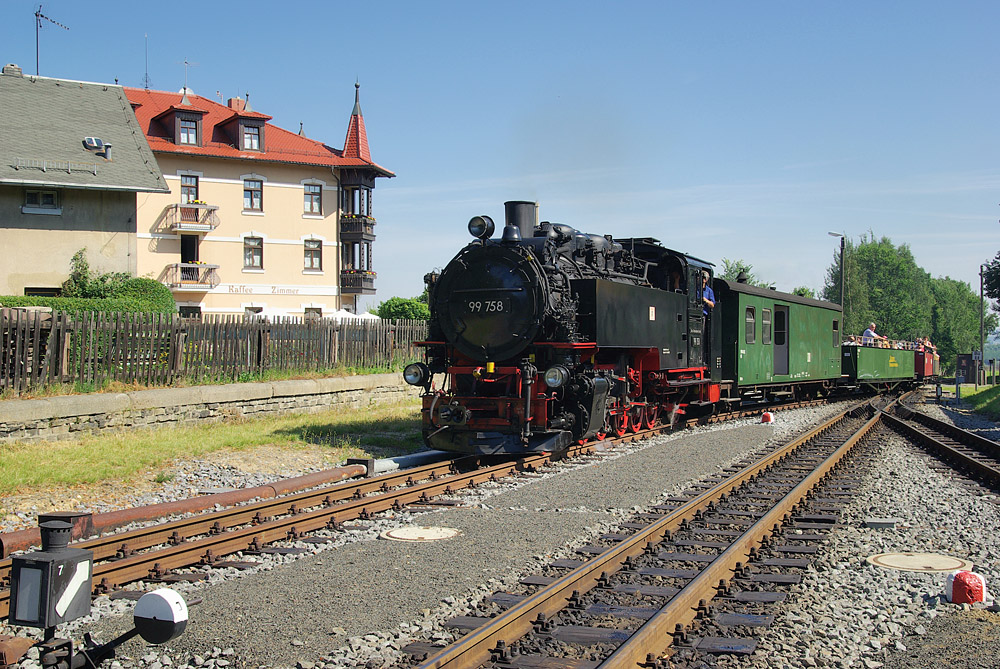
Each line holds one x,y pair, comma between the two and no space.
258,219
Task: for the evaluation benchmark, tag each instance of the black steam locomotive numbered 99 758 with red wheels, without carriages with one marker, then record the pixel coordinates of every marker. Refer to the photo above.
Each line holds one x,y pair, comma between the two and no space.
548,335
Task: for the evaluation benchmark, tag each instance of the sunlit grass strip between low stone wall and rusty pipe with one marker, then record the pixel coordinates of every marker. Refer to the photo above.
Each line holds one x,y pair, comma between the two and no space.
379,431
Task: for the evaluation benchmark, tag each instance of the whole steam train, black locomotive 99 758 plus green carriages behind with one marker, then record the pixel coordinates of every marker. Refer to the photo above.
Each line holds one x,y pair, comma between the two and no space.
549,336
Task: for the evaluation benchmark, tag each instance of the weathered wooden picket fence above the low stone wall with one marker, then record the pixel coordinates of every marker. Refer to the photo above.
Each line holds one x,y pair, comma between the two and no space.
39,348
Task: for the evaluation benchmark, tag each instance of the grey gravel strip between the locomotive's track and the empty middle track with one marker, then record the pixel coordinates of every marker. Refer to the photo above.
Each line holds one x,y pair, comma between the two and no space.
358,602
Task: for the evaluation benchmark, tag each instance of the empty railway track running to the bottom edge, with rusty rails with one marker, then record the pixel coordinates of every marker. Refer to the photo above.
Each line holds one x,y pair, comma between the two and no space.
634,600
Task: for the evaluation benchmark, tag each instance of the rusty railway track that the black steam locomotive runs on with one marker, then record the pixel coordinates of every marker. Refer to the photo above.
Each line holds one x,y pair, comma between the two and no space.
156,552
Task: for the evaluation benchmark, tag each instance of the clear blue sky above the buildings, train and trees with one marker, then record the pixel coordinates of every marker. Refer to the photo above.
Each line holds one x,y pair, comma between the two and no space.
725,129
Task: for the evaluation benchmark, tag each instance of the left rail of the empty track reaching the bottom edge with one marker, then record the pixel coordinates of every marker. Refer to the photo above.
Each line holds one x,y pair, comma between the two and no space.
475,648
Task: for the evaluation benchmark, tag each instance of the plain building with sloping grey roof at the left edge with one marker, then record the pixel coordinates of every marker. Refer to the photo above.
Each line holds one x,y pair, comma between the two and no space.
71,165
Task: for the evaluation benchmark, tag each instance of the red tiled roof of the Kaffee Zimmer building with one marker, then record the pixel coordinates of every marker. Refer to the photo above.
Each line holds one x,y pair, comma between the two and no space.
280,144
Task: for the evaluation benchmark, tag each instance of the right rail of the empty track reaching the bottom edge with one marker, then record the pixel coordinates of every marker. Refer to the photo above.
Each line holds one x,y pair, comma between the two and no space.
655,636
